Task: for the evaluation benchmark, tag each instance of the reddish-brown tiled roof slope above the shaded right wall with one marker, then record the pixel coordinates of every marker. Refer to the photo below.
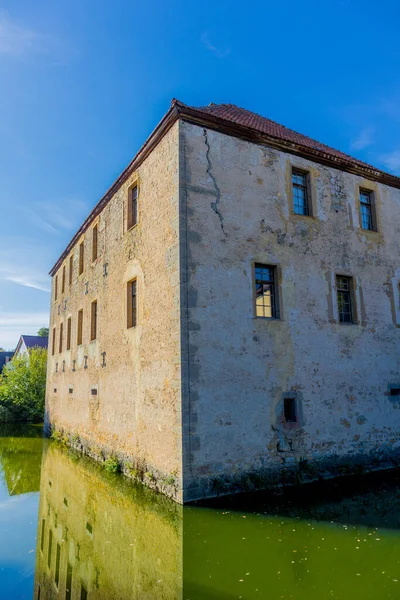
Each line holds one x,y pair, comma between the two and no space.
245,118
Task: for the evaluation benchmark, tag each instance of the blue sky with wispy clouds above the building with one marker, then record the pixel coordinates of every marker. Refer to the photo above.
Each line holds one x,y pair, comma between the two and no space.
83,82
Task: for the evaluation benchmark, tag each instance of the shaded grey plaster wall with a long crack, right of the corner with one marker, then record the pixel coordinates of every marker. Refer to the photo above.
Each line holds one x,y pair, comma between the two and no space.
236,196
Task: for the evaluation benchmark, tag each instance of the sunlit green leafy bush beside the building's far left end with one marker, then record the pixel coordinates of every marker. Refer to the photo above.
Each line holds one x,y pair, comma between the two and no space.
23,386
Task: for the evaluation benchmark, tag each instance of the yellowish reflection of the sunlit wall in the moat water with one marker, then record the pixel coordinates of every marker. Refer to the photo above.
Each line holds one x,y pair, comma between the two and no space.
100,537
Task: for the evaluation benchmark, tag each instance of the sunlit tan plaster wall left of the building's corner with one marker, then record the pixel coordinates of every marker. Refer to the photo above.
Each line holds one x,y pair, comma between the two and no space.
136,411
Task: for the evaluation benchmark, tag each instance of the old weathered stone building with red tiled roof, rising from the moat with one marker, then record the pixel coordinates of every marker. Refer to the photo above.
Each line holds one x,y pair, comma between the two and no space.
228,315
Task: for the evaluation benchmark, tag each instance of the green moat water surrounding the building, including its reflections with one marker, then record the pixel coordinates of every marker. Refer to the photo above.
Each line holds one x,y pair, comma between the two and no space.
70,530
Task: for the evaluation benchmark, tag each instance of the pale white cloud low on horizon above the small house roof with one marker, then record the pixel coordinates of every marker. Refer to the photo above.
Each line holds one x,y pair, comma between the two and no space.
13,325
